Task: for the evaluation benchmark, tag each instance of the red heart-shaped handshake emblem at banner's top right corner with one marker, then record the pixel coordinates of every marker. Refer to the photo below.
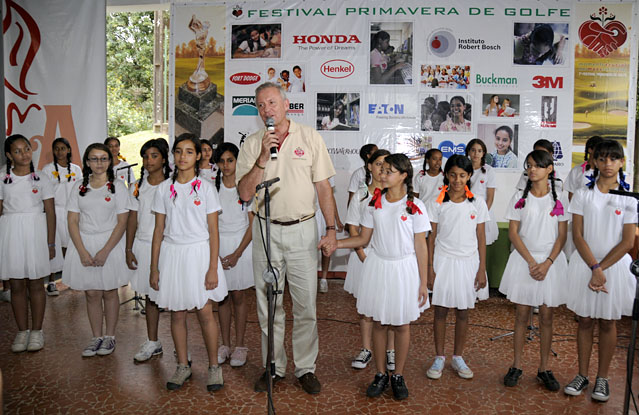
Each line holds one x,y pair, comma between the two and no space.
603,39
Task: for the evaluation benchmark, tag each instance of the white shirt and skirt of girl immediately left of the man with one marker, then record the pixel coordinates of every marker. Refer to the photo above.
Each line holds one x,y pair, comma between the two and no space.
233,223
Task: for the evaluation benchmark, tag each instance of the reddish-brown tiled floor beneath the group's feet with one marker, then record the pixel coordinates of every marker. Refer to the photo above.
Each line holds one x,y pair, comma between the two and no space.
58,380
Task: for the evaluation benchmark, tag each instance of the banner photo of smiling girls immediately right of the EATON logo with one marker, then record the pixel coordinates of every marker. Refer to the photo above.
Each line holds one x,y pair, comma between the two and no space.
446,112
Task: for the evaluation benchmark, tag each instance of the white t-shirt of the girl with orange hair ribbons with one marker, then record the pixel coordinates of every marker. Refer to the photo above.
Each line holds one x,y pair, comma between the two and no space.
457,226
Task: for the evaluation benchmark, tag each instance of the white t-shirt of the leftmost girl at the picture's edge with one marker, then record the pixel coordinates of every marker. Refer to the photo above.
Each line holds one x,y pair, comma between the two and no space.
25,195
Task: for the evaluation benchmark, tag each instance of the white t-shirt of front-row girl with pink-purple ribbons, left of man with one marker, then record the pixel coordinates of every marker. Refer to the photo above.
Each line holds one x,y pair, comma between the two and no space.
186,214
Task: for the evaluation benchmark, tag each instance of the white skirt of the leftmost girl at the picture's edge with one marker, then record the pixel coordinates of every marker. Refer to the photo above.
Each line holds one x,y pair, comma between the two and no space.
24,252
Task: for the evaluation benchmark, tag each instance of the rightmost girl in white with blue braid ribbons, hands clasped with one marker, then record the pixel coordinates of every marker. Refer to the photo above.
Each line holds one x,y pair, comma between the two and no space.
601,287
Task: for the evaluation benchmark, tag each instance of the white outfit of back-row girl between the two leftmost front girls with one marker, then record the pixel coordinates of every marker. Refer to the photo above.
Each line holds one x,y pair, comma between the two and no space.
62,181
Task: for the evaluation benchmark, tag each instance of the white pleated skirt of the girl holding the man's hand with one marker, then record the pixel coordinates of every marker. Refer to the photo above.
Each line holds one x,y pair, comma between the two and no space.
391,290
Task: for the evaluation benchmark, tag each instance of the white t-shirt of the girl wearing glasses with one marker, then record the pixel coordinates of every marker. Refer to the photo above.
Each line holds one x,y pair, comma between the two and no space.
98,208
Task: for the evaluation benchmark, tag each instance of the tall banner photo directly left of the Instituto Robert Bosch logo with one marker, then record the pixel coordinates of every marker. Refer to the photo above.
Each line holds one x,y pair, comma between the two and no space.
391,57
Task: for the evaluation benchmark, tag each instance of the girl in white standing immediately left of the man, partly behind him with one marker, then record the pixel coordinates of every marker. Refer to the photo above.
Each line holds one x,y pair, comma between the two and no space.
235,226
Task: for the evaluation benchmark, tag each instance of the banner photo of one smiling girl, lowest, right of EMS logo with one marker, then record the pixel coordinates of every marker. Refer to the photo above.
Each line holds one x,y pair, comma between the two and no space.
501,144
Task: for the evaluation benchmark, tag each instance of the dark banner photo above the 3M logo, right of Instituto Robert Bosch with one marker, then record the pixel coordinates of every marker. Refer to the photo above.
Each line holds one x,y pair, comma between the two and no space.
540,43
